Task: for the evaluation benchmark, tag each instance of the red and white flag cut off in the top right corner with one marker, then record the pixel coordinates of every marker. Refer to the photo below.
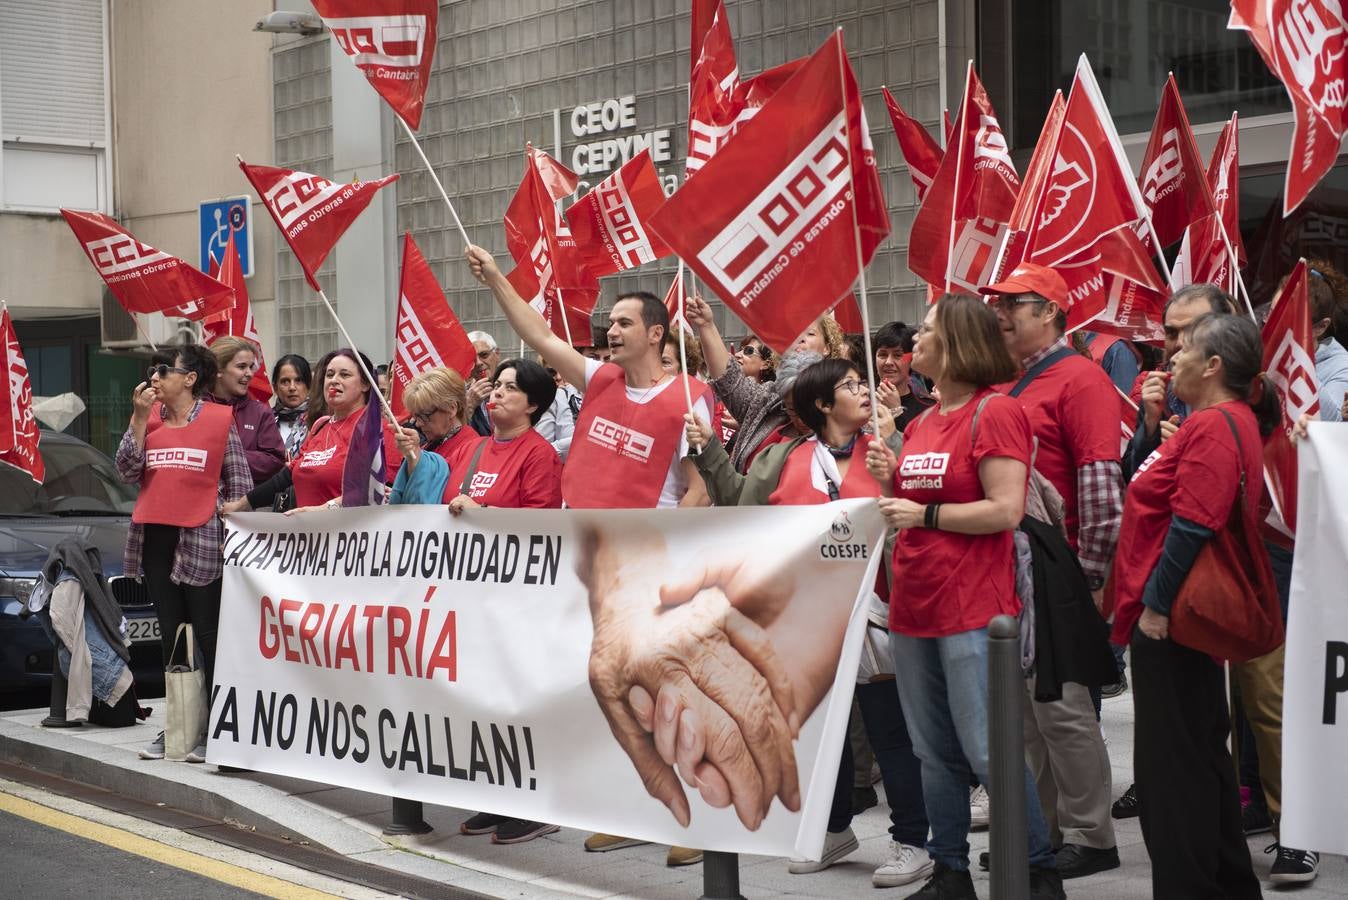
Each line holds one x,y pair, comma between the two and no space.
1311,60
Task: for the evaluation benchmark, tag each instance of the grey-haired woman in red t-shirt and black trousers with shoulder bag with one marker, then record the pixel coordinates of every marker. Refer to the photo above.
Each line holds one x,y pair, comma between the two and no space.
1190,800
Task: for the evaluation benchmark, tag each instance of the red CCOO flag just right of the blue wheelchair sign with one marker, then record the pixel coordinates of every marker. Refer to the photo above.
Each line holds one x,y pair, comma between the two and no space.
311,211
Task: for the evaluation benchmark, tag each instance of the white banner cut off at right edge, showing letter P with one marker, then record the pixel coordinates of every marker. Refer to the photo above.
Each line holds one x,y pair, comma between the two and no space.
1315,704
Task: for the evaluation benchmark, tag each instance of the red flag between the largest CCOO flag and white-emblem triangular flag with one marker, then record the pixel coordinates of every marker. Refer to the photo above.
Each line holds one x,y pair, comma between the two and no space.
962,223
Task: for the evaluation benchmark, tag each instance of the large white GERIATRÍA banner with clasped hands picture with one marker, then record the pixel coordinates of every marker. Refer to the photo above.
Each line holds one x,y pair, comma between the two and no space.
516,662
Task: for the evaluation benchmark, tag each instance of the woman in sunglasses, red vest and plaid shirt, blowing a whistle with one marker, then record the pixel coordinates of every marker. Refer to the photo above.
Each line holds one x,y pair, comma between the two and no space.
187,457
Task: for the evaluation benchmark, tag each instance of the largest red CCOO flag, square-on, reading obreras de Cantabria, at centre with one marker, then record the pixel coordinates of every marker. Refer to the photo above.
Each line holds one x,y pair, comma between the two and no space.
774,222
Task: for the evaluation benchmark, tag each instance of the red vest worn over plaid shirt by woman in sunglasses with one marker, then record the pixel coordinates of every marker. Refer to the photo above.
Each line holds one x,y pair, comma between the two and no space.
181,479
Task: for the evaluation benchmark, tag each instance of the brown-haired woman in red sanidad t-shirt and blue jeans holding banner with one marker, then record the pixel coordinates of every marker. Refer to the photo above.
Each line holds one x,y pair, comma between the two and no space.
958,492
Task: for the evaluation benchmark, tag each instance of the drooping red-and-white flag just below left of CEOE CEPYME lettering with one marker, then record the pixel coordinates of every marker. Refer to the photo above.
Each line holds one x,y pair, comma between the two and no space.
551,273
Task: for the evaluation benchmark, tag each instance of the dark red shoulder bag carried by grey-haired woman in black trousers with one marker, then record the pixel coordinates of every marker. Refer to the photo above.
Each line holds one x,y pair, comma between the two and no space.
1227,606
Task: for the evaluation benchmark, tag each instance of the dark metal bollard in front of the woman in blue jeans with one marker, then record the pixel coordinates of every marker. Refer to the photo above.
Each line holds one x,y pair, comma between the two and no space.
1009,851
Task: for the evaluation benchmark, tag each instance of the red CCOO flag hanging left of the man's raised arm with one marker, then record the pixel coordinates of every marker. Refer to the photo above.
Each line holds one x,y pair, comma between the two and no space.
428,335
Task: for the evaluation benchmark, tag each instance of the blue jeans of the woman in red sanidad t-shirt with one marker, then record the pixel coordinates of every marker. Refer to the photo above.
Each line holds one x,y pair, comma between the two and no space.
944,688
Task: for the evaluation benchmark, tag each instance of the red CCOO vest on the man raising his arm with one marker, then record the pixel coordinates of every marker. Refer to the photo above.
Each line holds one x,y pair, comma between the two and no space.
622,451
